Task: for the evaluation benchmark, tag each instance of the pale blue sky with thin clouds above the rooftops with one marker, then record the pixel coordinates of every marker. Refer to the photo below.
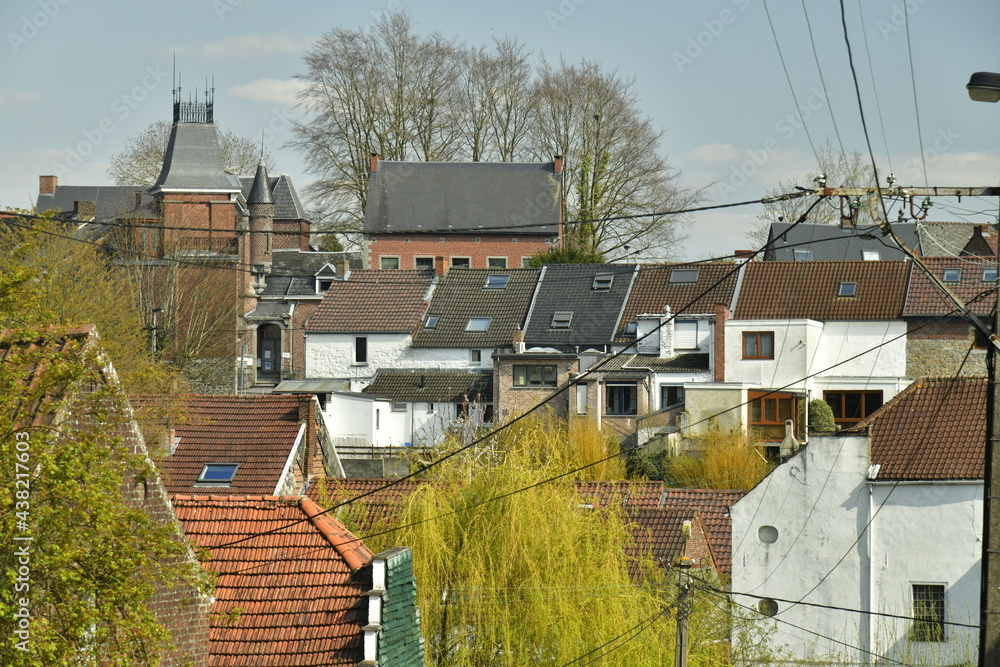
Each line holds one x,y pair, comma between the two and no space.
77,79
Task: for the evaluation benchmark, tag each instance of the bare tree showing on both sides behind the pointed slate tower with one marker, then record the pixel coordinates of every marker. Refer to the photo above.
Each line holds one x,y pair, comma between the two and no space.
141,160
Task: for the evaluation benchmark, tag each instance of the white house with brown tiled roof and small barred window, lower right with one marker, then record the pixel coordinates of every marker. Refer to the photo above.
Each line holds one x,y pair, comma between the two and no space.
883,531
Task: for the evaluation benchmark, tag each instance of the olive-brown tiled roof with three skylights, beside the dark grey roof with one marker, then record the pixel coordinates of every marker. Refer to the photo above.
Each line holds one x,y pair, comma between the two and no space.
462,294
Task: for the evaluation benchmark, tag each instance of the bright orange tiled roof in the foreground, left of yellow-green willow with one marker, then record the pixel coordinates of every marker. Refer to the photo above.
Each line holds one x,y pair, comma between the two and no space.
290,597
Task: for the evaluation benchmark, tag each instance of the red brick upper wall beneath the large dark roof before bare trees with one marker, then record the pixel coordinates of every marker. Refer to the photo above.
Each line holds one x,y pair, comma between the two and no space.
409,246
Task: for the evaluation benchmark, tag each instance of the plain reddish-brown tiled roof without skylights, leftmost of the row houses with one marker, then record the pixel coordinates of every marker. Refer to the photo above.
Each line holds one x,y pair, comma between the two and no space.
373,301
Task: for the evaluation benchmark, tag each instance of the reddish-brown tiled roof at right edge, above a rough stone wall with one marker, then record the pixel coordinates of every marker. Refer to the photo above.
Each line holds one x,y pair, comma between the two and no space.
925,298
